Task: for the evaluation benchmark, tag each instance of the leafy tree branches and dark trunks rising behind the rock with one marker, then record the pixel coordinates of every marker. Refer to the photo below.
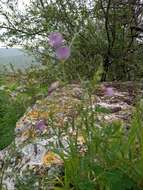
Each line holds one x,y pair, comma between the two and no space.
108,29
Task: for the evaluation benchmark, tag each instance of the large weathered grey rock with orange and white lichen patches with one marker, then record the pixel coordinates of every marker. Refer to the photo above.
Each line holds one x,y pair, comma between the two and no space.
40,132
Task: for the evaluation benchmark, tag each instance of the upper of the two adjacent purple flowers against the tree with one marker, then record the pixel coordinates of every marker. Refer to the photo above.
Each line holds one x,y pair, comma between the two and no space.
56,39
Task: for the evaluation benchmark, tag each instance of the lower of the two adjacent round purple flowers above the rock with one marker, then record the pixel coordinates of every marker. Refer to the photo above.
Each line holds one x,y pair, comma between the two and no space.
63,53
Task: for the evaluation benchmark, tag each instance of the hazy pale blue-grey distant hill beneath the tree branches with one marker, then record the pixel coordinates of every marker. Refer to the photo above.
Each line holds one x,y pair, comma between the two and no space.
18,58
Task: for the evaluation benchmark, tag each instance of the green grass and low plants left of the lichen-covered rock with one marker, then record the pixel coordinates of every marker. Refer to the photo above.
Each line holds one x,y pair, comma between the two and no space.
19,91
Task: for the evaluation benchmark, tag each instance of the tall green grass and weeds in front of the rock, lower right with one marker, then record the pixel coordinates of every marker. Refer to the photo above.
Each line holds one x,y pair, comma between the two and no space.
112,158
